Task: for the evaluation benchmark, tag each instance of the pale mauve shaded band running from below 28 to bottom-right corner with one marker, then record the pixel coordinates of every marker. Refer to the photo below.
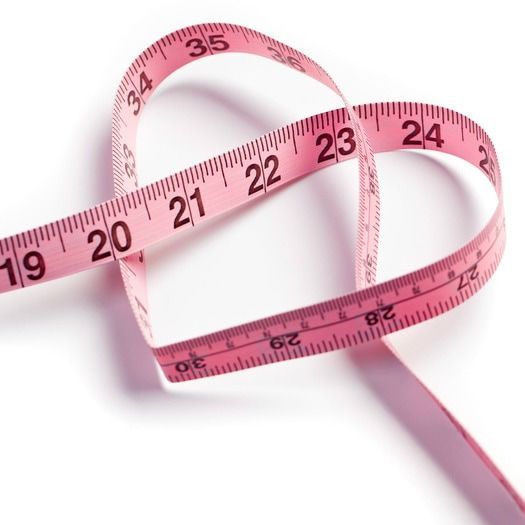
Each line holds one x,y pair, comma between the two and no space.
406,400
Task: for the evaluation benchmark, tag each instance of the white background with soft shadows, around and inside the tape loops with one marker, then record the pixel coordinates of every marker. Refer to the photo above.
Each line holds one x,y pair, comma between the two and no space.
89,433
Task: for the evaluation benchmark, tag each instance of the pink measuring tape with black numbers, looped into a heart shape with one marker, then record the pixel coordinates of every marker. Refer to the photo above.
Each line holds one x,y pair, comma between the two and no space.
140,216
